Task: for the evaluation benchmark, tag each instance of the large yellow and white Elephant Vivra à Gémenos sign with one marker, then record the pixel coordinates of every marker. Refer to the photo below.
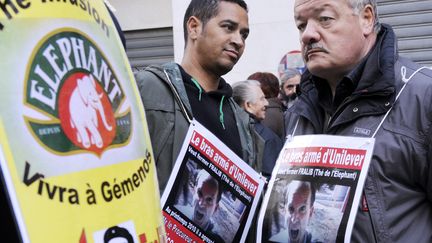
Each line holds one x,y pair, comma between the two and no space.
75,153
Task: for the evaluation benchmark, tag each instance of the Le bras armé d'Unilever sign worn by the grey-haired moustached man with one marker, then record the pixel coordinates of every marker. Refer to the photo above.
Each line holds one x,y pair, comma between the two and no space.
317,178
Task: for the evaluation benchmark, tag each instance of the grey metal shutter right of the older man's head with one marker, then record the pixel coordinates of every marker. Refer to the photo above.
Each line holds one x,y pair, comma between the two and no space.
412,22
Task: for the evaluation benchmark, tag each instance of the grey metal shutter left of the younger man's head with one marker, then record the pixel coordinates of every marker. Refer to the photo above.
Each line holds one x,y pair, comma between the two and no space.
149,46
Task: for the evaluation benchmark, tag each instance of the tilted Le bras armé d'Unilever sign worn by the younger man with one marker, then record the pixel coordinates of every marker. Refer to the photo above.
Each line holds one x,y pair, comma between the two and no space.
212,194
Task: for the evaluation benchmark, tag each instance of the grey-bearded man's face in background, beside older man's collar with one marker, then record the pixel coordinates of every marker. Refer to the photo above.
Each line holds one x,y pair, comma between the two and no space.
290,80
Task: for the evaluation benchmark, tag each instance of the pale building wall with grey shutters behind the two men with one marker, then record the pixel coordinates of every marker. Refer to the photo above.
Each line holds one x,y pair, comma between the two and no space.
154,32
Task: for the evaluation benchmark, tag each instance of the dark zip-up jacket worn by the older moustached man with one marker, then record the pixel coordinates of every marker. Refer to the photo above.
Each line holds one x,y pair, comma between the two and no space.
398,188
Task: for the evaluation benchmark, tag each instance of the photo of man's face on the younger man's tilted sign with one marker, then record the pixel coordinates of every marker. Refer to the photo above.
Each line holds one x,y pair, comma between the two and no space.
206,201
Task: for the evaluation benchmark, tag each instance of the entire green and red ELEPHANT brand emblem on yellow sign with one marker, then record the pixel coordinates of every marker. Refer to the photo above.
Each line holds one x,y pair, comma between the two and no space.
77,102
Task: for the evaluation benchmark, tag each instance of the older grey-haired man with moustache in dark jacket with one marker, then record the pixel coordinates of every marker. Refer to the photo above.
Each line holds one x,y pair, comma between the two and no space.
356,84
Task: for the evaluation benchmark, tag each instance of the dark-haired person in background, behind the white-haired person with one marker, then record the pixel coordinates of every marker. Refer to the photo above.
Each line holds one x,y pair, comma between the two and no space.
274,114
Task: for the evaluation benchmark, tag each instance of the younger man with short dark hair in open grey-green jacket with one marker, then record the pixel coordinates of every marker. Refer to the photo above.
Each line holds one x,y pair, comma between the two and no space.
215,33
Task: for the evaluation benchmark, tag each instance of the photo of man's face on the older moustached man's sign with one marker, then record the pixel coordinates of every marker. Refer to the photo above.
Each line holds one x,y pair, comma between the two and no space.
304,211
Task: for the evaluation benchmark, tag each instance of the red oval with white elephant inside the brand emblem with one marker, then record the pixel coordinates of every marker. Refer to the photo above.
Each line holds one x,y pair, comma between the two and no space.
87,117
